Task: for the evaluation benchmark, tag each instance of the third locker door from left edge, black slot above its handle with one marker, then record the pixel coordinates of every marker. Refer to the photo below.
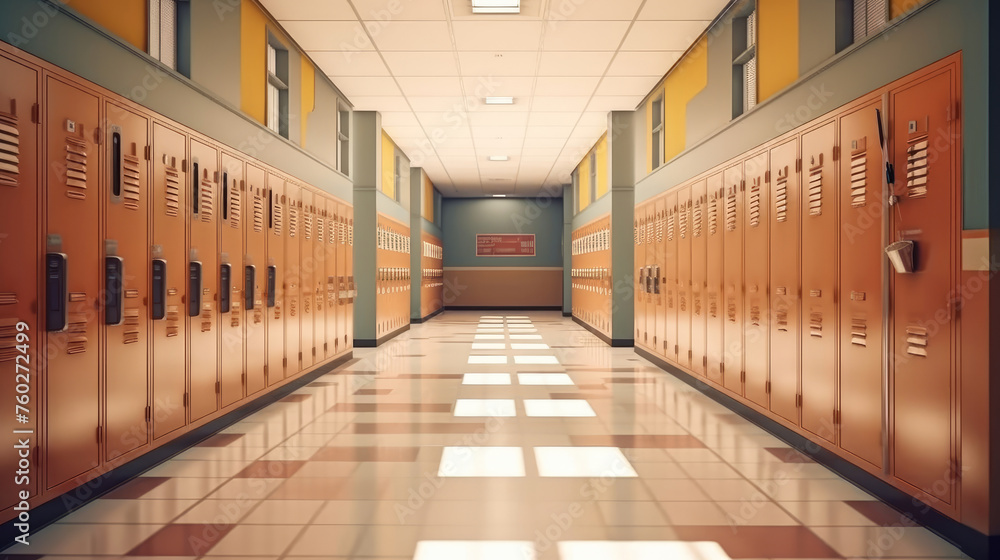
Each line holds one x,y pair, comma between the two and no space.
126,280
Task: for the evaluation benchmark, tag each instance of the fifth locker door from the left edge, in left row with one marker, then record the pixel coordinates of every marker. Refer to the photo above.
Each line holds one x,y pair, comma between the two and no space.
205,200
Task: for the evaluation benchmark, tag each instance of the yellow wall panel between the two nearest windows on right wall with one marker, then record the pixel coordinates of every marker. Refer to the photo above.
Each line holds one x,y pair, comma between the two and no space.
777,45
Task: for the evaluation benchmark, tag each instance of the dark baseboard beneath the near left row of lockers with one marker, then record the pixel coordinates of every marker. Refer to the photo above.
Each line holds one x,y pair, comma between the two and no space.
60,506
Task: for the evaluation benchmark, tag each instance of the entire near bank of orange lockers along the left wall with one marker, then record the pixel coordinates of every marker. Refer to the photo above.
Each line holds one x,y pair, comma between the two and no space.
161,297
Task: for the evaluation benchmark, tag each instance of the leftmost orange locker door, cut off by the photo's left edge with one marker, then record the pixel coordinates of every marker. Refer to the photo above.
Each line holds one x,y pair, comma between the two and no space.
19,249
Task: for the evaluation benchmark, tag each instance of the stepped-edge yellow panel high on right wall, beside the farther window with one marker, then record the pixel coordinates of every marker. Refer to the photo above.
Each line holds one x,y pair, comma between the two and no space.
687,79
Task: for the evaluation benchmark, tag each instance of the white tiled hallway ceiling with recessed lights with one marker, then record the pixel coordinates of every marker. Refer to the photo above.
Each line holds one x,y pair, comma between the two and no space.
427,65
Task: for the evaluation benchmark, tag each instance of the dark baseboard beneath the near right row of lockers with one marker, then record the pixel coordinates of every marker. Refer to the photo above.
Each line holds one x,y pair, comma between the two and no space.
972,542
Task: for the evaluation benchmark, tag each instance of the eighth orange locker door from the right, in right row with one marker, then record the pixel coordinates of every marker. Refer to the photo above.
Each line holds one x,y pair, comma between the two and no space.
699,254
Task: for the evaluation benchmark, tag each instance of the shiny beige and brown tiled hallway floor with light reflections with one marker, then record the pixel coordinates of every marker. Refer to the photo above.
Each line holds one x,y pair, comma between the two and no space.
454,442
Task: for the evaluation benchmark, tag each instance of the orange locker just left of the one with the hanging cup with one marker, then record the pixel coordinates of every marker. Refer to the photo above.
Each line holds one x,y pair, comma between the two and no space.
861,258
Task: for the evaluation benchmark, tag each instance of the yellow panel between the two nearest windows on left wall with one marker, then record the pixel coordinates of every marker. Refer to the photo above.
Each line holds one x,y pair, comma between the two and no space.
253,62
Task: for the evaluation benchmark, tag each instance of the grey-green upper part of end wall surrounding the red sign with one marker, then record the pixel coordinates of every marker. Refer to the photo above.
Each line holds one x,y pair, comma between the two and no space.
463,218
